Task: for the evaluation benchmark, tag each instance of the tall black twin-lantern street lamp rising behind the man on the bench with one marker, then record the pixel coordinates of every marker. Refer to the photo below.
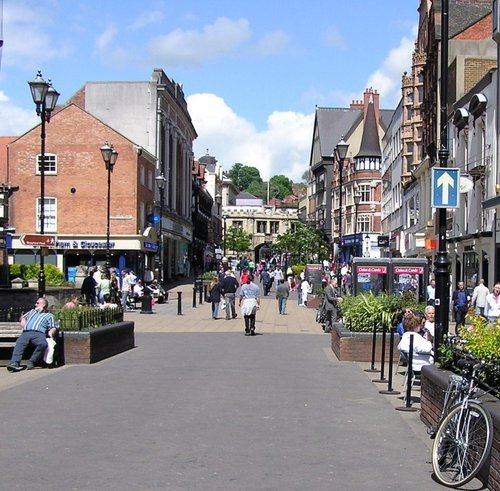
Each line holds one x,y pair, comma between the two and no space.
45,98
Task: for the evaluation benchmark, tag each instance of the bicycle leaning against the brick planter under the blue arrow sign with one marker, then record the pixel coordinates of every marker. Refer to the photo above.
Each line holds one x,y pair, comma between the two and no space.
464,433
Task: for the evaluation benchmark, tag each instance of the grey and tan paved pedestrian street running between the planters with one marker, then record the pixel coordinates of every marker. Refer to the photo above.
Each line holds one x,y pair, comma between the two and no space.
199,406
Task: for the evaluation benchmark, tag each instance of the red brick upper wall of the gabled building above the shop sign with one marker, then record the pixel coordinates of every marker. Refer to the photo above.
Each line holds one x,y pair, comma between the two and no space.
76,137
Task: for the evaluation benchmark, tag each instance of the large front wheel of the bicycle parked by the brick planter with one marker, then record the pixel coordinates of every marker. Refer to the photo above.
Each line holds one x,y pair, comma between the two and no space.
462,444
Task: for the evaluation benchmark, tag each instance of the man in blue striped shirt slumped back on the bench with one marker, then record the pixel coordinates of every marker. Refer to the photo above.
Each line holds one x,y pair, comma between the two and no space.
37,324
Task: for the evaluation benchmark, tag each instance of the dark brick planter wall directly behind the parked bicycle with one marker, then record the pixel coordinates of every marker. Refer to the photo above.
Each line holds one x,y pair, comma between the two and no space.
433,387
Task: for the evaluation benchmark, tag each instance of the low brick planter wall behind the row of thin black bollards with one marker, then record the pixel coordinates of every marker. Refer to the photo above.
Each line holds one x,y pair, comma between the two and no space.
357,346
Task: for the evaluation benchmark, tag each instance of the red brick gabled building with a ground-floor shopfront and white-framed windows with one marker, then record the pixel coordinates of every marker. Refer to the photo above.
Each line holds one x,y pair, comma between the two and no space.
76,194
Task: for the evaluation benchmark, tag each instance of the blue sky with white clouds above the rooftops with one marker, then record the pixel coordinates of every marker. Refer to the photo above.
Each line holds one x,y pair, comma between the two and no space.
252,71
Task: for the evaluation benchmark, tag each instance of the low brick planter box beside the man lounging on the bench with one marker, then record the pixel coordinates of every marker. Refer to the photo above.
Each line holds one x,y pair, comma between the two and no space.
82,347
